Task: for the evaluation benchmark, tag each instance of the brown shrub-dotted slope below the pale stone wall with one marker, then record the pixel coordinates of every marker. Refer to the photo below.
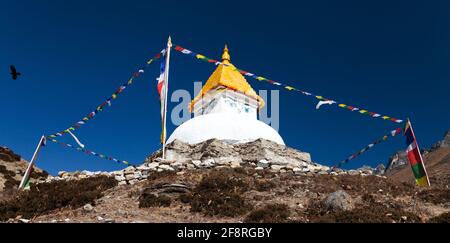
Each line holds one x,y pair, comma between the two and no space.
246,195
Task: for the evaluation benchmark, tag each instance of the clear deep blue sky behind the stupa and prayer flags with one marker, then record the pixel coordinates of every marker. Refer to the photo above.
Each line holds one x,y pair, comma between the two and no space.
391,57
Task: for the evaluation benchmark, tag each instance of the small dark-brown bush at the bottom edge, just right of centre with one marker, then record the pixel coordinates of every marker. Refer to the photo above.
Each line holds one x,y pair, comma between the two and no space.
272,213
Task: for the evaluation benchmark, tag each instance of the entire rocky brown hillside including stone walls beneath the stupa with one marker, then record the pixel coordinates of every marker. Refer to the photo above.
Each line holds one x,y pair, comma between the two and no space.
219,182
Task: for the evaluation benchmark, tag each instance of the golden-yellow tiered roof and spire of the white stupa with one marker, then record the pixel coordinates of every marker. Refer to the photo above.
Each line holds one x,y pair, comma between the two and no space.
228,76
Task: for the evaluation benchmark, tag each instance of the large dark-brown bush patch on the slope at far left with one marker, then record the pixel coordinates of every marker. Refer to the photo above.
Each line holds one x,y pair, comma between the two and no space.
45,197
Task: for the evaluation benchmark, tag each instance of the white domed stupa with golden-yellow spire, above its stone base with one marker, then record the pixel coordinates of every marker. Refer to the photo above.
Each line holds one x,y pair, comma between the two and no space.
225,109
